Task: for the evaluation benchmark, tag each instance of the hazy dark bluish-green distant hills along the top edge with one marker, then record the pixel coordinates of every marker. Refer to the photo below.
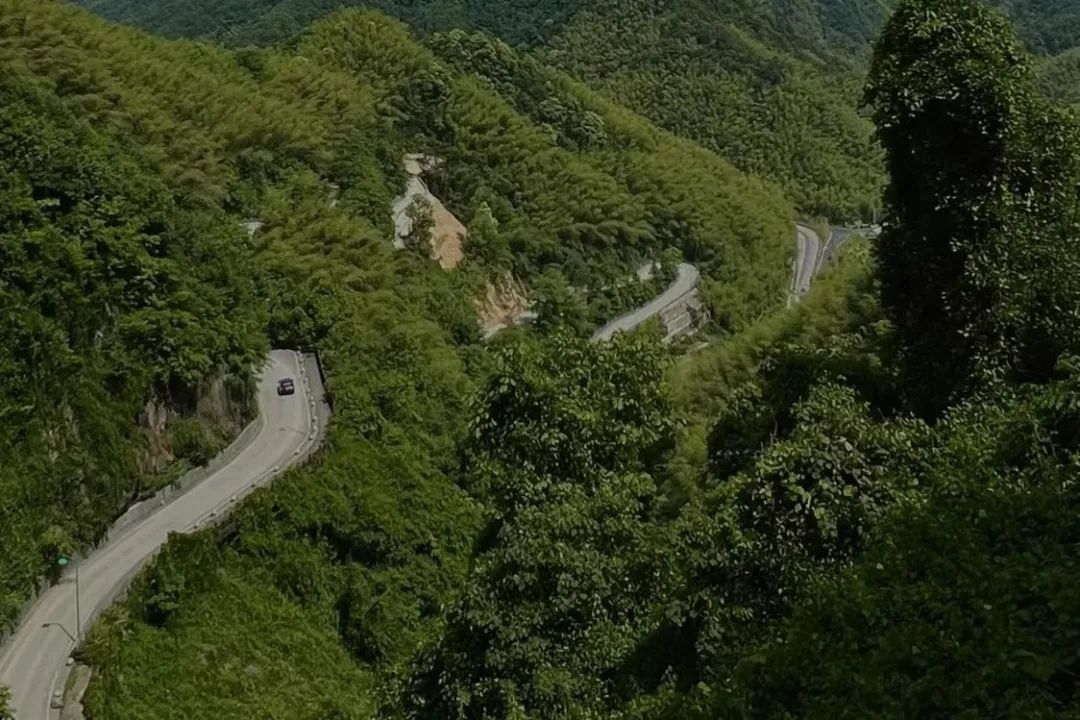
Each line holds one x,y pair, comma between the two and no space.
820,29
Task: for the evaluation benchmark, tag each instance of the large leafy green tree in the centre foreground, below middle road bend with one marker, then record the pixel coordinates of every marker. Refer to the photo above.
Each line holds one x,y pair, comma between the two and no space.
564,437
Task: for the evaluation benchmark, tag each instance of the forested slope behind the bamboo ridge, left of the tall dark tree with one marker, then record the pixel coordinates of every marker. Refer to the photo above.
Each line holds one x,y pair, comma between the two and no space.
713,79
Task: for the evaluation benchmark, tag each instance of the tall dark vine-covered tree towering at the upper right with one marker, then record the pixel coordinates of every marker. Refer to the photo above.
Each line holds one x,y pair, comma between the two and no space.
980,260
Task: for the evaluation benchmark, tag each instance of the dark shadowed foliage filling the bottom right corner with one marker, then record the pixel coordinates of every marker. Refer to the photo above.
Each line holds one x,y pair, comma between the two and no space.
967,613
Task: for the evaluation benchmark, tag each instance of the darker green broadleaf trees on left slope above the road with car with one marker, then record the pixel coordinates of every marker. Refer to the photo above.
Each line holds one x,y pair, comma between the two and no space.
116,289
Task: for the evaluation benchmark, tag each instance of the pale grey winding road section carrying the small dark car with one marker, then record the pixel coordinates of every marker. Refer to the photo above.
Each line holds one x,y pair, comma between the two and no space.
34,659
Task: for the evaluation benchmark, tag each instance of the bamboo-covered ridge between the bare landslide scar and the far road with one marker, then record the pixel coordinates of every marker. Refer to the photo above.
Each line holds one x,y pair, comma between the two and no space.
592,211
